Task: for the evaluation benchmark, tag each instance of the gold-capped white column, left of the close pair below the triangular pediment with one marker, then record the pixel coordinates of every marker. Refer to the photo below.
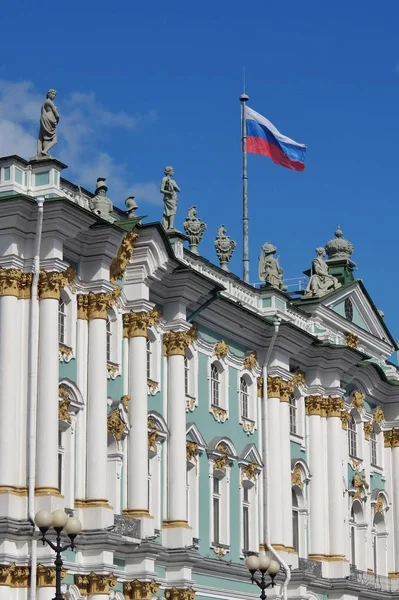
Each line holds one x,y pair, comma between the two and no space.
315,408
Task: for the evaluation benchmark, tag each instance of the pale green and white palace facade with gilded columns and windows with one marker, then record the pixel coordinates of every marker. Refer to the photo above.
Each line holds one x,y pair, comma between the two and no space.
187,418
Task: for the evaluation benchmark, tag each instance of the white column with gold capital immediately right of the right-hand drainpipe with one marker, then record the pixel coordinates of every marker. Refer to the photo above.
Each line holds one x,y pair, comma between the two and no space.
275,468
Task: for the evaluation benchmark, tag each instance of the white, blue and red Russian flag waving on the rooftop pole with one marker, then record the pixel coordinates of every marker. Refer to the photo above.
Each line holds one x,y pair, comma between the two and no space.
264,138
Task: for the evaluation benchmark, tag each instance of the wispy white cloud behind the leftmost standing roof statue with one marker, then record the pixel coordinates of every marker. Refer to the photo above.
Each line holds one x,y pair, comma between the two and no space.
83,123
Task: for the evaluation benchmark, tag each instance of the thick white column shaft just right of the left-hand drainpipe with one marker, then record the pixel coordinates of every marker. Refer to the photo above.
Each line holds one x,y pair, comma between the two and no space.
47,407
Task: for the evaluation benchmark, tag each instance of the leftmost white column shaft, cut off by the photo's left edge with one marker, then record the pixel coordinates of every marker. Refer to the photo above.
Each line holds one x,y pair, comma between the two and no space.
9,359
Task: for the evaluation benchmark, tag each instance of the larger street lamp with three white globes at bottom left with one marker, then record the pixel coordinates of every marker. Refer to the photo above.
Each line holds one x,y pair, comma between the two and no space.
59,520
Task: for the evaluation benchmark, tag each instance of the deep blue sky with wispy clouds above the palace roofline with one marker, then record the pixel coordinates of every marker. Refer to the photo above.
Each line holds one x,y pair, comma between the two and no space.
143,85
